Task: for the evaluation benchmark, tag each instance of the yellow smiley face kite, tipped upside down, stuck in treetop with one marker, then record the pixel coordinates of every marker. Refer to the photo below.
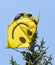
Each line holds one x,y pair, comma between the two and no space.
21,31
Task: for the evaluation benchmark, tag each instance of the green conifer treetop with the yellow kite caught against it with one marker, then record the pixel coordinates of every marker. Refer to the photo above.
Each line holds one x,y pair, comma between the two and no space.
35,54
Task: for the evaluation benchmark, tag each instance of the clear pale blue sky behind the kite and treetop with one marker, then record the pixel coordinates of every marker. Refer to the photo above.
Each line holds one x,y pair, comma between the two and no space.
46,28
